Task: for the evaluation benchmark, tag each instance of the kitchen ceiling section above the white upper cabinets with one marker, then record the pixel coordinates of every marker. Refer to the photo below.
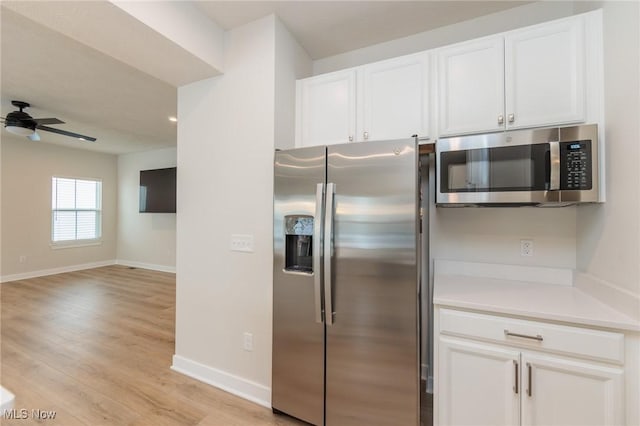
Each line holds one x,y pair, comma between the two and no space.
327,28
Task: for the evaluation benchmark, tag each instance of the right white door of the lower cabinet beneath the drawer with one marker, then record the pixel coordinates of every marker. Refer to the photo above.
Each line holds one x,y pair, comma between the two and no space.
558,391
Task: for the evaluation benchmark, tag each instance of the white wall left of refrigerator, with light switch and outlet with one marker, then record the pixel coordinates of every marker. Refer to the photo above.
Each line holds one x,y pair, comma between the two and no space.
225,187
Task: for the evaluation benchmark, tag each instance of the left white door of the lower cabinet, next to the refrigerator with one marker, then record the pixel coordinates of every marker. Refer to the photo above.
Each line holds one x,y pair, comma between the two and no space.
477,384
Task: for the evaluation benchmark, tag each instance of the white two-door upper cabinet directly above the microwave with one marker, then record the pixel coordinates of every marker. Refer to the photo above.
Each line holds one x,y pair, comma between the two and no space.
525,78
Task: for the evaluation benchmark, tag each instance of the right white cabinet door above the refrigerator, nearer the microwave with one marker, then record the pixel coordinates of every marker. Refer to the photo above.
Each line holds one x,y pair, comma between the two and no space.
394,98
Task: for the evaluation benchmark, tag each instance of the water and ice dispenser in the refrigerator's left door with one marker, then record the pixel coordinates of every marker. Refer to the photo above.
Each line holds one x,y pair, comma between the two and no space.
299,243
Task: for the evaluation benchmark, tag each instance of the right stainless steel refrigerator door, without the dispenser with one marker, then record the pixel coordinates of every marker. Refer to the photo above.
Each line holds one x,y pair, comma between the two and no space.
372,367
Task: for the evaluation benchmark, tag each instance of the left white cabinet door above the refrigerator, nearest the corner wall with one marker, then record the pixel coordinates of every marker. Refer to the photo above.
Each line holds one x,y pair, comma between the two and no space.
327,109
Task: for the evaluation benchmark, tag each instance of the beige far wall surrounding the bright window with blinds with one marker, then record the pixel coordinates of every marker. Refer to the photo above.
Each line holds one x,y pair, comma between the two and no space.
27,169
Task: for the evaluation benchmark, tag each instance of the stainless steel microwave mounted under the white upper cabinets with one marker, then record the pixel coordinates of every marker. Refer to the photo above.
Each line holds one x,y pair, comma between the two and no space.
551,166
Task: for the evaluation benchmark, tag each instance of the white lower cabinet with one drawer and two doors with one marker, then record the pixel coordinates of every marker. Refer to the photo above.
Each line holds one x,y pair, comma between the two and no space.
516,379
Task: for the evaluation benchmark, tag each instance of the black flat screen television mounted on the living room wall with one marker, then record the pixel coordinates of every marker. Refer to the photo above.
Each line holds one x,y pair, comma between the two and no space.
158,191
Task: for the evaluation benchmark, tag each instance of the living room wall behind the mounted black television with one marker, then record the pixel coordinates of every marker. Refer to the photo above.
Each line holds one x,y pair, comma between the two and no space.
146,240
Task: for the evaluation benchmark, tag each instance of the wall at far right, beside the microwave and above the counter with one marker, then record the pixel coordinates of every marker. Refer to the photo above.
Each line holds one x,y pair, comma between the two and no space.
609,234
